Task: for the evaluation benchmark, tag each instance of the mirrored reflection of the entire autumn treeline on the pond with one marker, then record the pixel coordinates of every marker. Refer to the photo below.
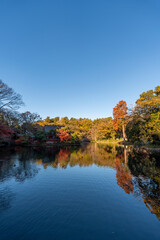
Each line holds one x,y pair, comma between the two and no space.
137,172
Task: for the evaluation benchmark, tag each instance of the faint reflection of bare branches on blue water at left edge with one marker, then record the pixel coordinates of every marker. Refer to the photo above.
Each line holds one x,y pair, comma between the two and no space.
6,196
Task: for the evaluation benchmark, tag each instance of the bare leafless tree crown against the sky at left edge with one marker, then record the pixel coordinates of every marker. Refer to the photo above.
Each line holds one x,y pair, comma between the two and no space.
9,99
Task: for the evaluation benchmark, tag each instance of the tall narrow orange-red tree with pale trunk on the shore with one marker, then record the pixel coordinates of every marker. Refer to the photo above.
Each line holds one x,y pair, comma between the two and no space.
119,116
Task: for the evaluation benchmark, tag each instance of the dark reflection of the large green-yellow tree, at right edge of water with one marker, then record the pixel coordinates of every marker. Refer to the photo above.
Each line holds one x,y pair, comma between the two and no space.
146,169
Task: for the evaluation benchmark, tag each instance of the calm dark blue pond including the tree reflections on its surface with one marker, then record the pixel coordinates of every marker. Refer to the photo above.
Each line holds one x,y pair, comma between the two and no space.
92,192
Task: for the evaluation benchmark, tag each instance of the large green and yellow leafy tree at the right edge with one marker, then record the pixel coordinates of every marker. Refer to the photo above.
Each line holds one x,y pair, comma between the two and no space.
144,123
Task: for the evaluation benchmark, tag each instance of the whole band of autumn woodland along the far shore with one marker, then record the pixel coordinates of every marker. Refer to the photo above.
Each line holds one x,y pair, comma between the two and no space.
140,125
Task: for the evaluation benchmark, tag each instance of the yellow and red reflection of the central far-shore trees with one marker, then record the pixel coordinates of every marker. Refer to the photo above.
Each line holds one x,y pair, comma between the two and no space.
101,155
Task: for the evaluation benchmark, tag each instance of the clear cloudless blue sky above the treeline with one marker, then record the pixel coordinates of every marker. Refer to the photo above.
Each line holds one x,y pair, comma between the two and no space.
78,58
